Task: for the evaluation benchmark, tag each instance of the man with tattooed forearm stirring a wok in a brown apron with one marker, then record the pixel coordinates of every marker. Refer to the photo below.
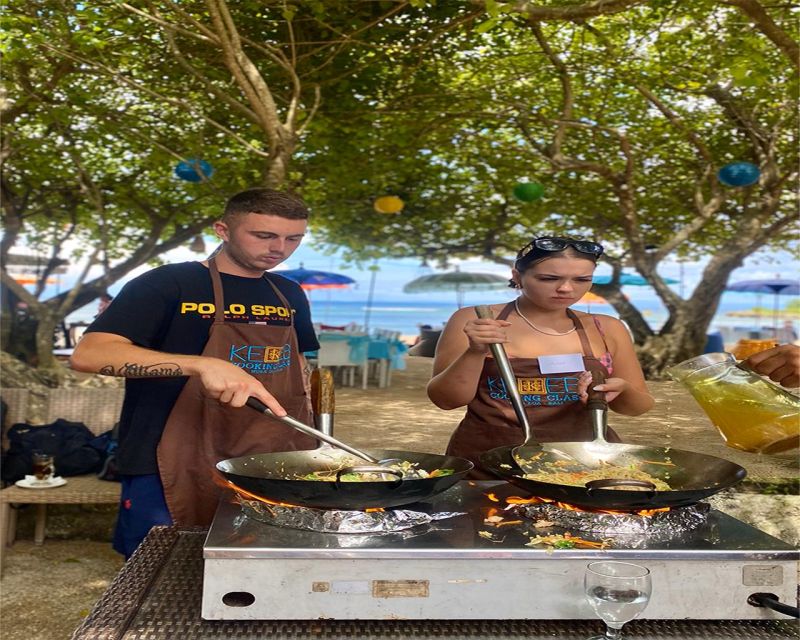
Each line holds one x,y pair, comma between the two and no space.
194,341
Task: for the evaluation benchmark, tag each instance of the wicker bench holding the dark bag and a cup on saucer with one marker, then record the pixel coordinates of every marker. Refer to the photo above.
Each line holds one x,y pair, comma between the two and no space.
99,410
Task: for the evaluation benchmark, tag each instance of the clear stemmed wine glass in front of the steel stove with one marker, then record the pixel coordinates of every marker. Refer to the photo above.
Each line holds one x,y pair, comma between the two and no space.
618,592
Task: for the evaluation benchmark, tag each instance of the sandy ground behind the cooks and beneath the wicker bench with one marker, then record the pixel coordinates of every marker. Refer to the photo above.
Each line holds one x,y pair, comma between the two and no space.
46,591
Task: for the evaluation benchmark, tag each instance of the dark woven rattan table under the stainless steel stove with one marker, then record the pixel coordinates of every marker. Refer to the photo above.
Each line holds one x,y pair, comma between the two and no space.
157,596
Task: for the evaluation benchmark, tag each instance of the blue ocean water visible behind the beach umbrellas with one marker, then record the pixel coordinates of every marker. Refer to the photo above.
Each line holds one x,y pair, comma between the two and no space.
407,315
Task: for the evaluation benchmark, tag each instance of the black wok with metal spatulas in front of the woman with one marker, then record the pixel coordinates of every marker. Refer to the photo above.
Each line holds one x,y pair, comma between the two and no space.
691,476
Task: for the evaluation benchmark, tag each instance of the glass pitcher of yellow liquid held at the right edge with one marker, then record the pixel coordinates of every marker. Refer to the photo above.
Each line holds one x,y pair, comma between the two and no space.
751,413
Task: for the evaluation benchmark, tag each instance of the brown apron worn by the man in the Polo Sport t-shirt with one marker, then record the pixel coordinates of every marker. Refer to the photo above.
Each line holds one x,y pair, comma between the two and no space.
200,431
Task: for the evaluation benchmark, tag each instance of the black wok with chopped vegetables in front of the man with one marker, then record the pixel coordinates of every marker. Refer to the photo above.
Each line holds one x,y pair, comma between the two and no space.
275,477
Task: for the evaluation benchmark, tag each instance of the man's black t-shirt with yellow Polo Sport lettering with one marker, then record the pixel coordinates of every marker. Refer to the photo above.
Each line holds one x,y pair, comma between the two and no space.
171,309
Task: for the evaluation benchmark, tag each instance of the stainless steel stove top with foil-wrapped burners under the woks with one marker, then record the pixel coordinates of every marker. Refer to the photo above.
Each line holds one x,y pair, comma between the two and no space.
463,568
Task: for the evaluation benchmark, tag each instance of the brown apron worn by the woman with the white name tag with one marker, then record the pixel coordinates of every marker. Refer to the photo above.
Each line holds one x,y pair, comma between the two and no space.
551,403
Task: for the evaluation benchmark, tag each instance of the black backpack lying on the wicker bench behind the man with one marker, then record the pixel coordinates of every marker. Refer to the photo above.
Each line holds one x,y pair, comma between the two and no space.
68,442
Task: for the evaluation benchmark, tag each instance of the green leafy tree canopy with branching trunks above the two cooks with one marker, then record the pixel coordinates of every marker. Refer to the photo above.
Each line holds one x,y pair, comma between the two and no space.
623,110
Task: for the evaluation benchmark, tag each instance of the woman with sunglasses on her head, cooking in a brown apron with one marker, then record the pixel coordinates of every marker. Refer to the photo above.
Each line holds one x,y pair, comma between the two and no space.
553,352
